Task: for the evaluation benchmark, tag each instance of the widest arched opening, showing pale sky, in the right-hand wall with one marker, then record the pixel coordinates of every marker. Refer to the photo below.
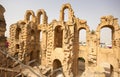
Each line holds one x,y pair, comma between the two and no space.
106,37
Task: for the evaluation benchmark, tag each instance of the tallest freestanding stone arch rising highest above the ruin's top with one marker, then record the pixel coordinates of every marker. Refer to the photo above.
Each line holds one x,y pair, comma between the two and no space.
70,12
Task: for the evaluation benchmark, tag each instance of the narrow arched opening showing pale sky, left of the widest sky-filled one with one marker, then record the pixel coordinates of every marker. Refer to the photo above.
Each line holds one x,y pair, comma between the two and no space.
82,37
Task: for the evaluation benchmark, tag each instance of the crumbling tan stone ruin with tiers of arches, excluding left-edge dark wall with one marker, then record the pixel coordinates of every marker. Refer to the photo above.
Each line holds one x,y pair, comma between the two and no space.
43,49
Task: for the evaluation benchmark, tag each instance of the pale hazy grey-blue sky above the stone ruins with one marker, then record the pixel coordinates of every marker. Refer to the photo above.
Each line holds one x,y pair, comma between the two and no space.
89,10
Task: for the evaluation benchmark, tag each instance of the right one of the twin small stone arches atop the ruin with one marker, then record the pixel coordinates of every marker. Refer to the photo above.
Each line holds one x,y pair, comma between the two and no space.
45,18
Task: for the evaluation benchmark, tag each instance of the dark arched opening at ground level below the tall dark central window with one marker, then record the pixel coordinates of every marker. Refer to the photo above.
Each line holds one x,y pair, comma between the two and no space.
57,69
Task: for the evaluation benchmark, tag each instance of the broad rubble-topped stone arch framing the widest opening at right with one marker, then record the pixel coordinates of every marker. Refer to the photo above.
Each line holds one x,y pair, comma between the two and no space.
110,22
